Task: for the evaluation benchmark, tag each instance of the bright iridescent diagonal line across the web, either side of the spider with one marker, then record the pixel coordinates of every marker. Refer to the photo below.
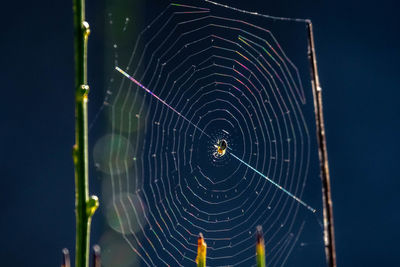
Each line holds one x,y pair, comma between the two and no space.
203,132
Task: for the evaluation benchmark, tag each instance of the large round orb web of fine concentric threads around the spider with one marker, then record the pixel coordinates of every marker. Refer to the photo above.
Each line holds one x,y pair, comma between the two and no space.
212,73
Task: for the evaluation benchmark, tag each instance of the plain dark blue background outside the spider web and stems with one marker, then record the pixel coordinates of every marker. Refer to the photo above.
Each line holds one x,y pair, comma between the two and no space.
358,54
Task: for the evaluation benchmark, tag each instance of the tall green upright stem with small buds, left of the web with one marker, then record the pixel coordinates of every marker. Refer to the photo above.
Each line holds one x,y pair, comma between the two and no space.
85,205
